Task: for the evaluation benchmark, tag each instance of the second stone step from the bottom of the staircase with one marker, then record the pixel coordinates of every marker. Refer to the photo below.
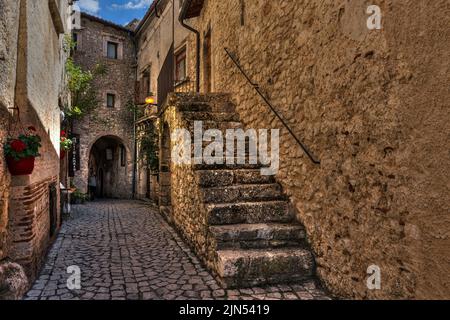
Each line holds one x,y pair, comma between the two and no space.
258,236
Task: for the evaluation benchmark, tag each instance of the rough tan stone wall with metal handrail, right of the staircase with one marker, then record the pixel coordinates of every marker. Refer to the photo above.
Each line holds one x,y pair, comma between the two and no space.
373,107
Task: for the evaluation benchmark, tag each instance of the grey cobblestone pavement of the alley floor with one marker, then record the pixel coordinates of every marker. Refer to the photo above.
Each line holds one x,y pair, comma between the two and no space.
125,250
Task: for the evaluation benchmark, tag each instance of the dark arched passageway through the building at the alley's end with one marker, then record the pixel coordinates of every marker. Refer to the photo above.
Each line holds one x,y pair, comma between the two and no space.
109,164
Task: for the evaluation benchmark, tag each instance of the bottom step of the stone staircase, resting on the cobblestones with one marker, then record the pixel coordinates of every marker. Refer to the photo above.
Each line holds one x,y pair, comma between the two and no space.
246,268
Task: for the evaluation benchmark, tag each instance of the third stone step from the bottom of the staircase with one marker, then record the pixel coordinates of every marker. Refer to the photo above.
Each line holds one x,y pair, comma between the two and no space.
249,212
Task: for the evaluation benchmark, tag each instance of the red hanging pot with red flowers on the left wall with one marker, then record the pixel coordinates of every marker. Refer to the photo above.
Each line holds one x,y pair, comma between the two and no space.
21,152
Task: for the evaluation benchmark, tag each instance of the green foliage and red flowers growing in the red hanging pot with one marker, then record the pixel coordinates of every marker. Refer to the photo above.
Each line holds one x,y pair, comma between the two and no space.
24,146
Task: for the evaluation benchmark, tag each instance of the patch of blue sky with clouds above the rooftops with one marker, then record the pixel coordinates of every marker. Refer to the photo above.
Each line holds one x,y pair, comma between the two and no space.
118,11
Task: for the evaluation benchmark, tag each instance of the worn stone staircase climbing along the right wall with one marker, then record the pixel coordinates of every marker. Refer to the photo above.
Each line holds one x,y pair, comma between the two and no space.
251,225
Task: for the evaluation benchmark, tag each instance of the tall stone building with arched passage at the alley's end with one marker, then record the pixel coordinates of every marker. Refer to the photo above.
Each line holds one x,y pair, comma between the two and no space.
106,135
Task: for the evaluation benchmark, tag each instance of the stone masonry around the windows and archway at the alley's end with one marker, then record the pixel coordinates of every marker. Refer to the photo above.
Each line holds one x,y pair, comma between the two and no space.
119,80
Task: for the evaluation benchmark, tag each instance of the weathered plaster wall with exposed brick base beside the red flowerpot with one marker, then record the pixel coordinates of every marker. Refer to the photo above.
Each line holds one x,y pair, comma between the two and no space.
39,85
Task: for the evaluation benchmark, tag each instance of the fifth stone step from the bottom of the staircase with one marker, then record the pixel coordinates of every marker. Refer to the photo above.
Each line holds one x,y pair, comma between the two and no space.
223,178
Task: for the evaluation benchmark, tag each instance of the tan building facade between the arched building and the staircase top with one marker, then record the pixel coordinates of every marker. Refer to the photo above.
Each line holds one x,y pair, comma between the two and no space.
160,39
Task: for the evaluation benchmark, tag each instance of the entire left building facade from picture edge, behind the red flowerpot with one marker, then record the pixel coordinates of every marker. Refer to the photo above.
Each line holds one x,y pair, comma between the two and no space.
31,81
